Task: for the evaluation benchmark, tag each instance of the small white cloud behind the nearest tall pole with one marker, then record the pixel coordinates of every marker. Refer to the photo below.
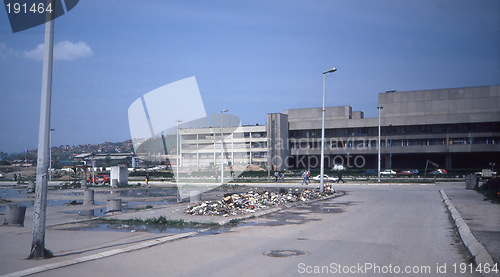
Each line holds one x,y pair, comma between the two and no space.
63,51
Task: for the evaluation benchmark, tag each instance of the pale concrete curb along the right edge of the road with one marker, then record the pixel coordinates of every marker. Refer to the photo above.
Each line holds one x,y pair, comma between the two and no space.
477,250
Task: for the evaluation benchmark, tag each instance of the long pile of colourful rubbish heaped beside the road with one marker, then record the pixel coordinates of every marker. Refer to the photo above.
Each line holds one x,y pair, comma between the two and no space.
241,203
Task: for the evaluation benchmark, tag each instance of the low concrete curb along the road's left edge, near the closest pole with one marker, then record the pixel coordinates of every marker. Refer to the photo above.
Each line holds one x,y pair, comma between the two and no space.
101,255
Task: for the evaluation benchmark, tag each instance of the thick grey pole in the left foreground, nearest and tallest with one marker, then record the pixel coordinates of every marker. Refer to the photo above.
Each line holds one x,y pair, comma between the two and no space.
40,205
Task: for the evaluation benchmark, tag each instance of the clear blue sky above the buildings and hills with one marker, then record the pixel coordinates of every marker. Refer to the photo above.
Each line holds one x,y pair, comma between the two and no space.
251,57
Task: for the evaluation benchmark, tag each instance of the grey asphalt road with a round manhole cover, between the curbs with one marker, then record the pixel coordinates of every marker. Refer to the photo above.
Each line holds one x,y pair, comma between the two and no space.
371,231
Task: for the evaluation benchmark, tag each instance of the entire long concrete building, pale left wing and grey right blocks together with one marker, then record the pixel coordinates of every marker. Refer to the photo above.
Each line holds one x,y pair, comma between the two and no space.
455,128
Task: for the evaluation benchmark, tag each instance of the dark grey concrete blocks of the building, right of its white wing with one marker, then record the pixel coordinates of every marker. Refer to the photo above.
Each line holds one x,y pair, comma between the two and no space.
455,128
